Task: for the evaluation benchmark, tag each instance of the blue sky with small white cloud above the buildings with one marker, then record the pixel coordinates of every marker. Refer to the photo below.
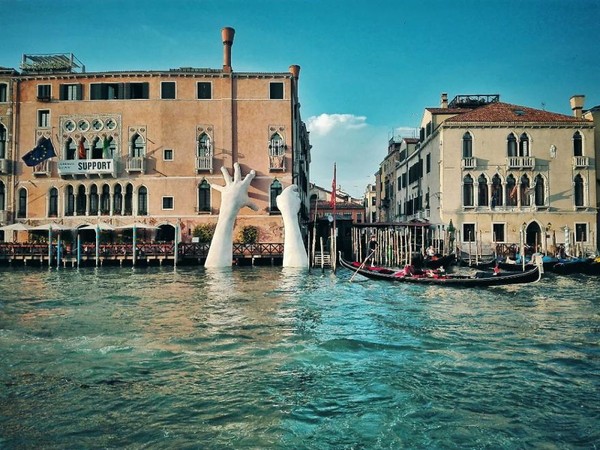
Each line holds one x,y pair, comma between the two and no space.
368,68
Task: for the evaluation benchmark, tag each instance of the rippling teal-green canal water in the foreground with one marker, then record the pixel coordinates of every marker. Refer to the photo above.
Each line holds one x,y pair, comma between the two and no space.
269,358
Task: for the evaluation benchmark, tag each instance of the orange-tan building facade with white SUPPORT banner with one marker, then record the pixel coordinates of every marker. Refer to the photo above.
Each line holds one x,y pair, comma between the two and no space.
147,145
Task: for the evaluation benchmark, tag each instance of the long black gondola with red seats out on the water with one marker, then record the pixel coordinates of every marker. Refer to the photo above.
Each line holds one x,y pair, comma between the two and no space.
440,278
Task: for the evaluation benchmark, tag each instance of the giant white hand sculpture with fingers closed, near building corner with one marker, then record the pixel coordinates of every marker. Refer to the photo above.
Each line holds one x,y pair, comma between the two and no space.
294,253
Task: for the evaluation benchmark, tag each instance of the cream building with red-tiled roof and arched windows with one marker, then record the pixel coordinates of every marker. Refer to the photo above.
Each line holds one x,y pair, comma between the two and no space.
504,173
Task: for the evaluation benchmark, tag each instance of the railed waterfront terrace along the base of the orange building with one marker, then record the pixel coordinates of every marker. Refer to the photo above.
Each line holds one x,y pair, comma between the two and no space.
126,254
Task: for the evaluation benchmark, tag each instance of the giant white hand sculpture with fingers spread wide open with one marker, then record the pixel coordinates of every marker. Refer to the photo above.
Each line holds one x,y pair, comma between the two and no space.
234,196
